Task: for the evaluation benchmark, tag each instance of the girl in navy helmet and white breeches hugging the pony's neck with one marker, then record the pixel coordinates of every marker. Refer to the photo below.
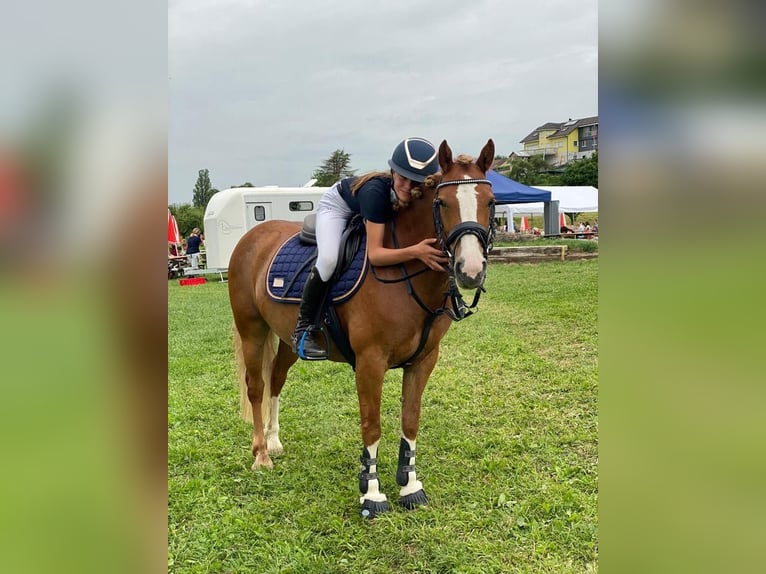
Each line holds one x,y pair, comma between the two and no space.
377,196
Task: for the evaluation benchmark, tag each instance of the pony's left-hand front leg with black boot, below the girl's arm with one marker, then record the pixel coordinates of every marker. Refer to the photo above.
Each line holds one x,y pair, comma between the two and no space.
369,387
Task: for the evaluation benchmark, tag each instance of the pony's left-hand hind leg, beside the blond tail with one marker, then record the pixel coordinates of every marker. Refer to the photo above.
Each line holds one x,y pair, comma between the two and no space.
257,360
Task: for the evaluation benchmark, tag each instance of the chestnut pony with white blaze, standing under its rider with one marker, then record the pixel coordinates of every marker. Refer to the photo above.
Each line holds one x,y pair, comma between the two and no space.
396,319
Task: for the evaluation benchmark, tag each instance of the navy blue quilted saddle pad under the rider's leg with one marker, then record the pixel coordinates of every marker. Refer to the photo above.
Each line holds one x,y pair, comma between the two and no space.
290,268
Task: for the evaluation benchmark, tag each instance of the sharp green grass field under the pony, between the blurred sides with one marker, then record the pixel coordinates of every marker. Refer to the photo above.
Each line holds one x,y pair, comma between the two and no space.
507,448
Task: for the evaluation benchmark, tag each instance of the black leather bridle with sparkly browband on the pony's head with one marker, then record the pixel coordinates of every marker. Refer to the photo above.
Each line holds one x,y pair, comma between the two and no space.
485,236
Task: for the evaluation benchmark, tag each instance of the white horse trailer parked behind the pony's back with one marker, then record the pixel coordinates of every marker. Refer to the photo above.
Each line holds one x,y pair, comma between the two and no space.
232,212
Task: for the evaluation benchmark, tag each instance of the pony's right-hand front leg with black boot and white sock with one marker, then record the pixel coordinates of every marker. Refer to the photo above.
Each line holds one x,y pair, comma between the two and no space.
411,494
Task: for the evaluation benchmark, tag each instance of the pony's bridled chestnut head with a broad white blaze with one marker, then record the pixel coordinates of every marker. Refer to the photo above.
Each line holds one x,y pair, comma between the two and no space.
464,209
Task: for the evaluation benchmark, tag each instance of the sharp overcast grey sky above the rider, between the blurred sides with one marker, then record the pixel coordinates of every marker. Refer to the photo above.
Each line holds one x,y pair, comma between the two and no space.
265,90
